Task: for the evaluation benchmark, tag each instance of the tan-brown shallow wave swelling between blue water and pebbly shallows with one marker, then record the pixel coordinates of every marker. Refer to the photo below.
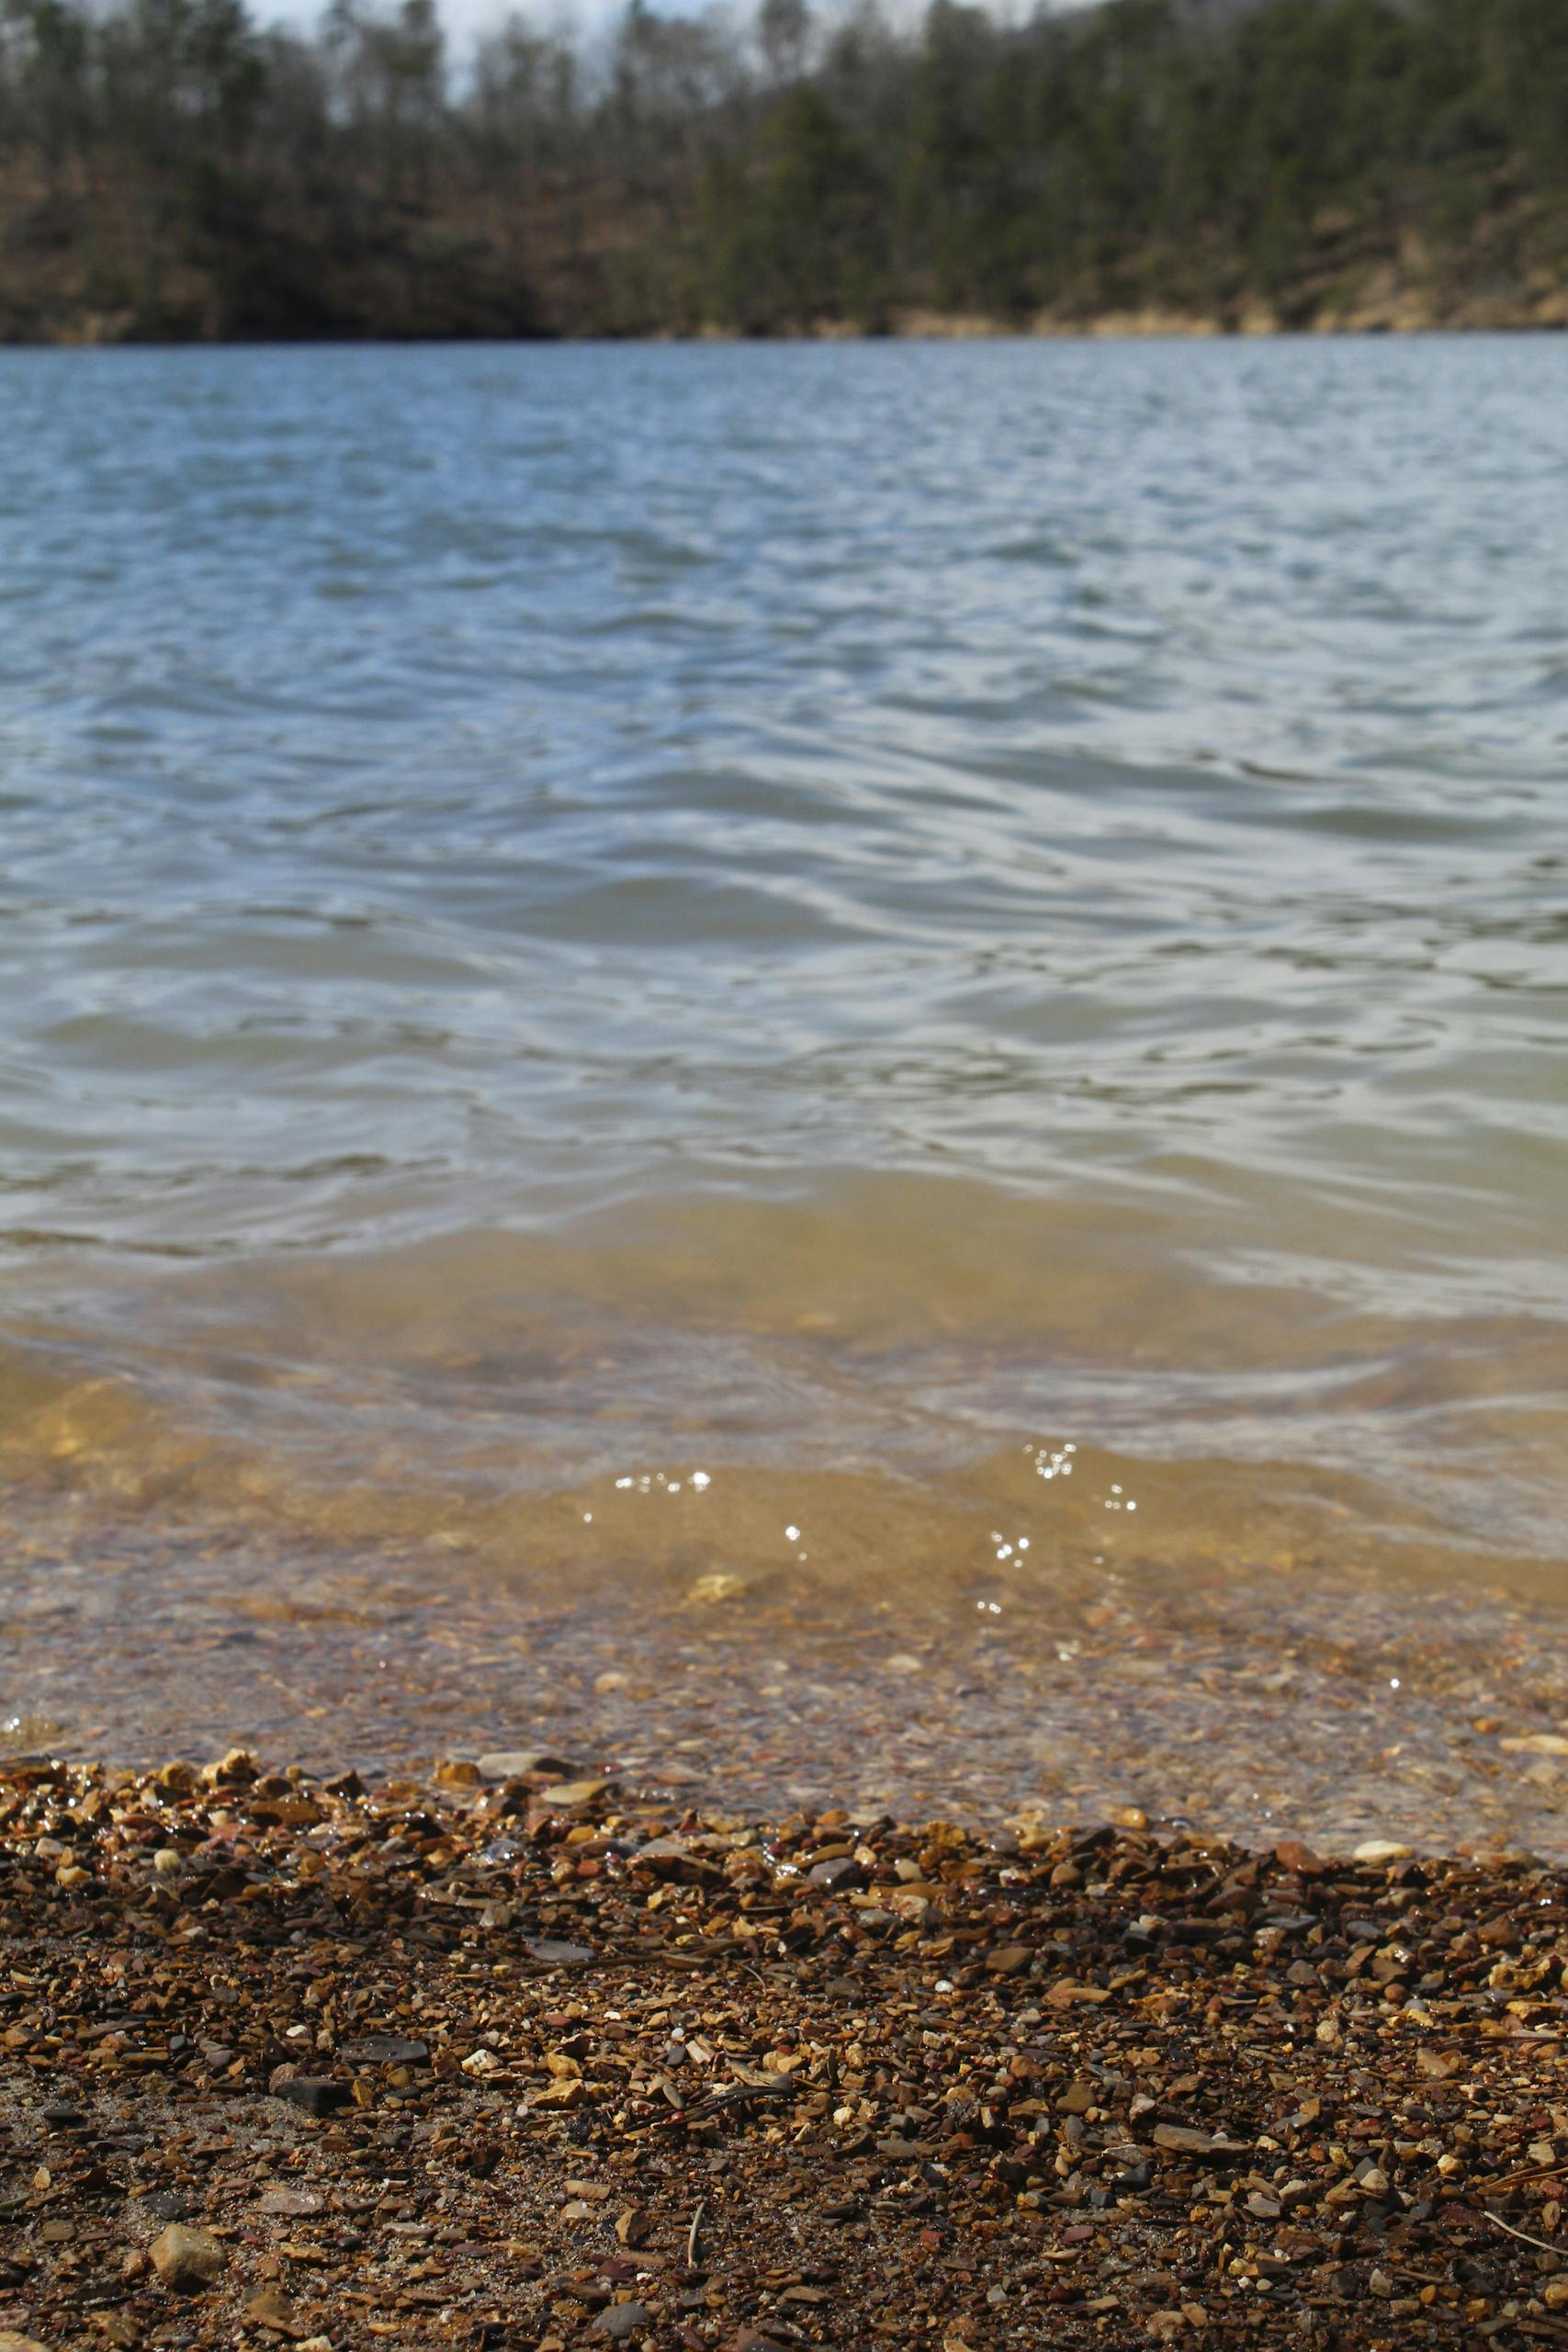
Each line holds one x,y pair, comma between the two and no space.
880,1358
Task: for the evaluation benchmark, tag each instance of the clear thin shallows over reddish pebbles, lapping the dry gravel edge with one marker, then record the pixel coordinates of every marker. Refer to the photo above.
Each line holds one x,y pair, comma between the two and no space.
1257,1695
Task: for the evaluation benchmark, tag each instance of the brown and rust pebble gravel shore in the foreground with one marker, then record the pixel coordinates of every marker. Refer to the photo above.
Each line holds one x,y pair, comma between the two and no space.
518,2059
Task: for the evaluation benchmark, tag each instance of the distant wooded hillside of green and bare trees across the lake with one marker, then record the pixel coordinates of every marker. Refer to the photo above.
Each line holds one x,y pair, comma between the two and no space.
173,168
